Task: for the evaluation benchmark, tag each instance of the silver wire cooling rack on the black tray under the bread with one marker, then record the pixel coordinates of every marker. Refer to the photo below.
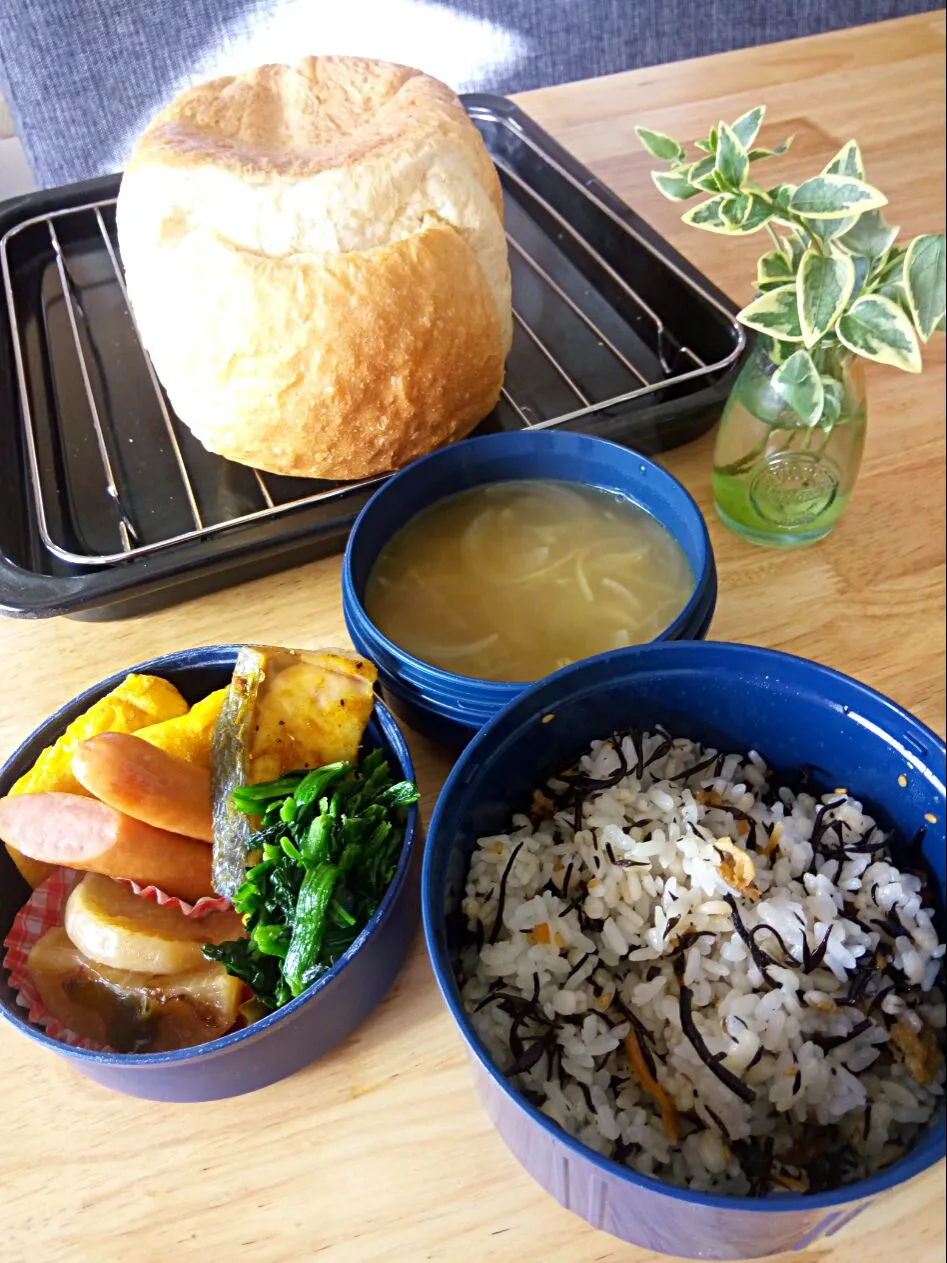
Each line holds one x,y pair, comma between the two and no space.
116,477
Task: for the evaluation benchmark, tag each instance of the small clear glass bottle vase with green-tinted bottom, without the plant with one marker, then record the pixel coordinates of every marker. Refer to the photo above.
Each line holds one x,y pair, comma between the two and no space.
778,481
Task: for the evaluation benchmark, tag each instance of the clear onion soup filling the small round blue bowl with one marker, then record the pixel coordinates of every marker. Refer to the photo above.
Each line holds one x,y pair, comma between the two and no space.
513,580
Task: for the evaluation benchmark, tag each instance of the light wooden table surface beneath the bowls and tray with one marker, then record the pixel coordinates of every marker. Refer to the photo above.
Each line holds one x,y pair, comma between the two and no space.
382,1150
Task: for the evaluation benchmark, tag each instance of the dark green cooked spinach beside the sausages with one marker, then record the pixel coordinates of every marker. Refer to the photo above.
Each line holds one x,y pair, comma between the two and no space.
326,846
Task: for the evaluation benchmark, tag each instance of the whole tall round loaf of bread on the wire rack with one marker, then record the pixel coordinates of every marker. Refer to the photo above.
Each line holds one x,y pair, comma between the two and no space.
316,261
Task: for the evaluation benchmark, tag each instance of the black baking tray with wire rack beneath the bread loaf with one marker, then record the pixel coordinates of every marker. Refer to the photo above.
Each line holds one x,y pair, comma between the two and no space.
110,507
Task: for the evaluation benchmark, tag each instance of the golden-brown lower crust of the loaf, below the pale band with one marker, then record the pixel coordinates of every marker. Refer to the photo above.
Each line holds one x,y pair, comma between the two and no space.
345,420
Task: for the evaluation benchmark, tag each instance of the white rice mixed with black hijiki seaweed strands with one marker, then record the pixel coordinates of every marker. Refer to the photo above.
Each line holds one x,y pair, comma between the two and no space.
708,978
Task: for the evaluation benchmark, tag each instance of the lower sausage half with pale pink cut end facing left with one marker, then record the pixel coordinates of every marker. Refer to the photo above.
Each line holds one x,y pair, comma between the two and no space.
84,834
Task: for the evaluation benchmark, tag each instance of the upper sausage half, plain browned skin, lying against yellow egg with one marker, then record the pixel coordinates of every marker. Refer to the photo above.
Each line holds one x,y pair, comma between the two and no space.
134,777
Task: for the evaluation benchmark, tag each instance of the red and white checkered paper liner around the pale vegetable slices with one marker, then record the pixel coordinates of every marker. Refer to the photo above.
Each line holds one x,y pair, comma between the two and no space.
45,911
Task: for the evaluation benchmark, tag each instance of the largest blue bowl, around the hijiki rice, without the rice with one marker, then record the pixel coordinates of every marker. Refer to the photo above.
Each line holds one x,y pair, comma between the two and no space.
733,698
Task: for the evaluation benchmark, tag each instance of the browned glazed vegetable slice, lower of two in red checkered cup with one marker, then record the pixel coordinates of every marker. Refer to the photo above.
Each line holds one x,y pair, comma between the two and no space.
132,1012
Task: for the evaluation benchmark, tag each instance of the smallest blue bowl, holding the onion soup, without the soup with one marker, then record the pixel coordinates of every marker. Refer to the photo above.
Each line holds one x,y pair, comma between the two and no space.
449,708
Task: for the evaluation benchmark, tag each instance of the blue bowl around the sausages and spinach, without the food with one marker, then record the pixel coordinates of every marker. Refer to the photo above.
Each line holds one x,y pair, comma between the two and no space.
285,1041
